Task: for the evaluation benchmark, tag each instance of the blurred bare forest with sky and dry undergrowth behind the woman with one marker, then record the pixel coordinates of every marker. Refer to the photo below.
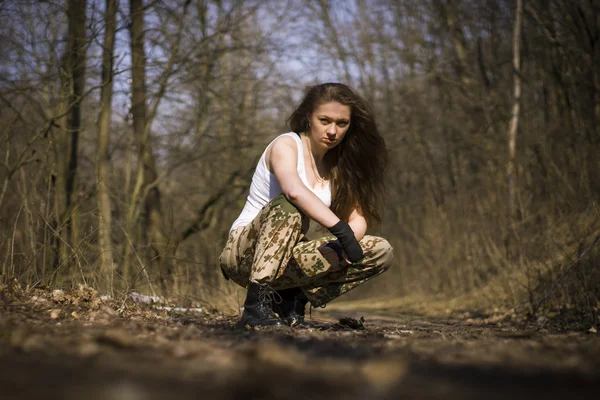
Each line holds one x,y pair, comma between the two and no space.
130,131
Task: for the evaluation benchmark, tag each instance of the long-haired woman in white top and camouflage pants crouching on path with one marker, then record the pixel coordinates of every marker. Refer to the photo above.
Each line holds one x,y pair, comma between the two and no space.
329,169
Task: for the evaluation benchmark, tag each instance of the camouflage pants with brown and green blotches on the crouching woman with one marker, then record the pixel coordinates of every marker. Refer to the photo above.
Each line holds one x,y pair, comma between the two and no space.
273,249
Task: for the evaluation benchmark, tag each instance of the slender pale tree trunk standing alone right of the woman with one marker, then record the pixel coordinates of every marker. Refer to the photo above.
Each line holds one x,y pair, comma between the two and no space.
514,120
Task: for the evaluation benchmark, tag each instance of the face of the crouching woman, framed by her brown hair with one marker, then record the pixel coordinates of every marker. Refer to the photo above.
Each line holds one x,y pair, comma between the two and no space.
329,124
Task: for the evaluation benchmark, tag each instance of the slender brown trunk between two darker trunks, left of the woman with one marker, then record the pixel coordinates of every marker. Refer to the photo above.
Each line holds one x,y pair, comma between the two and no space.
103,161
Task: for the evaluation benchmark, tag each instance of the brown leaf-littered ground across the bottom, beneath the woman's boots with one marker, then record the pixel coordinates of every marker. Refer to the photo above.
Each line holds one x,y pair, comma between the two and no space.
57,345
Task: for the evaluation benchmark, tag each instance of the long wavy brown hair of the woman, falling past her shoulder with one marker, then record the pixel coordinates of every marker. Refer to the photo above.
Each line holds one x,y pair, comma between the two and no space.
358,164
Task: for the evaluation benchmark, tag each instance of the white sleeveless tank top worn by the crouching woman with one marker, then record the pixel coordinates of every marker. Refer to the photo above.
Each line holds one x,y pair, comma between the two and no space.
265,186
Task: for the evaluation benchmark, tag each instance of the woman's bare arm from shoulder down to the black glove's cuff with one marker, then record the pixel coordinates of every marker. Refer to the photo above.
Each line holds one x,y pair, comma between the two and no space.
283,162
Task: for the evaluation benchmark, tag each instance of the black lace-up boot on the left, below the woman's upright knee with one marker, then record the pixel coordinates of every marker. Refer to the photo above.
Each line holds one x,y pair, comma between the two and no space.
258,307
